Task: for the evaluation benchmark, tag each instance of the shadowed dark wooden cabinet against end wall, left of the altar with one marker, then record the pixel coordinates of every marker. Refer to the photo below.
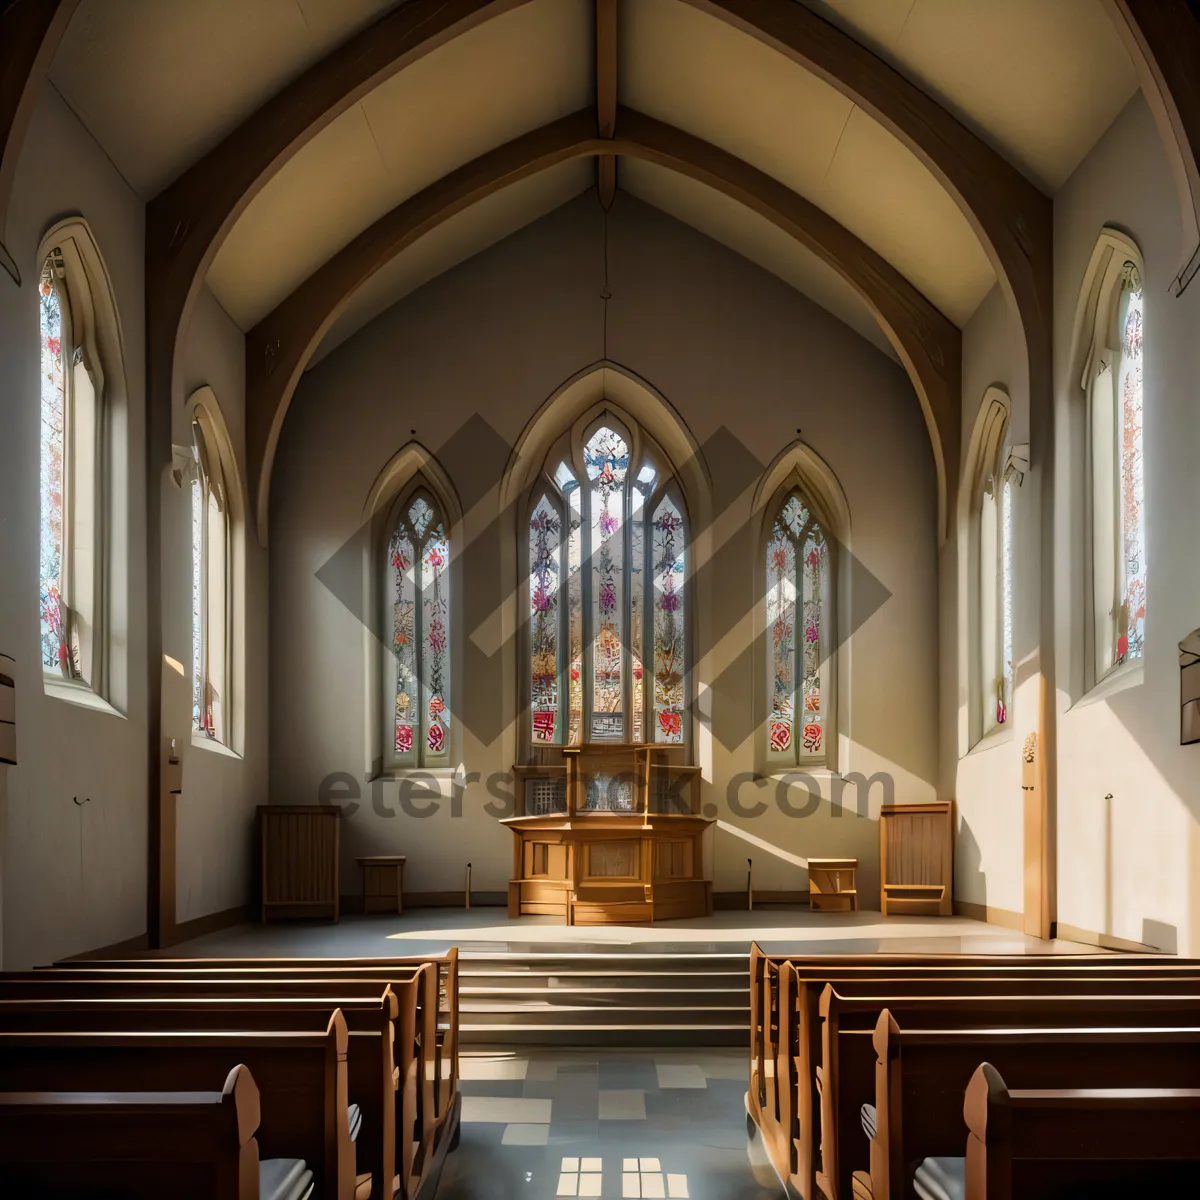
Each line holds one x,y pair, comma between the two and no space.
299,848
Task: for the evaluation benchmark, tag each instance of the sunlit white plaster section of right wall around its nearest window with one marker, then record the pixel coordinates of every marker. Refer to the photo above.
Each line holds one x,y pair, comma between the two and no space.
1127,867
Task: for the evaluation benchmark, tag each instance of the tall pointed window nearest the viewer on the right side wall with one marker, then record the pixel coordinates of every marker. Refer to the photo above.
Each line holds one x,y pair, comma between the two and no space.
1113,381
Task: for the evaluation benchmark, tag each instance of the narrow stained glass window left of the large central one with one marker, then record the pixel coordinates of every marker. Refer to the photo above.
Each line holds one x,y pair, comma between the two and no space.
419,565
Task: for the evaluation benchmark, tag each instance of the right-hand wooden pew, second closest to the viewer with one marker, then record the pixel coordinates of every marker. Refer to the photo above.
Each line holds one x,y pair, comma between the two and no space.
921,1077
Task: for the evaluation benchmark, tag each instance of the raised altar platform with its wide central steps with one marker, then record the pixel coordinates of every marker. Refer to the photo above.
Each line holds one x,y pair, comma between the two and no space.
536,982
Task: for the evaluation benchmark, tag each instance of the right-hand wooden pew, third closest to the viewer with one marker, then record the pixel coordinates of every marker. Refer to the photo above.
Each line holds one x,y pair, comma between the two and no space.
848,1067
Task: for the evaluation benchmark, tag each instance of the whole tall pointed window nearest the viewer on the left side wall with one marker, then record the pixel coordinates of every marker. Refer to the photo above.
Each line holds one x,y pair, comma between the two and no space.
71,501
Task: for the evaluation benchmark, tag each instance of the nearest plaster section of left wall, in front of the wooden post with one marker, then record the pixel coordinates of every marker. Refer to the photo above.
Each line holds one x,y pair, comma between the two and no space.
75,878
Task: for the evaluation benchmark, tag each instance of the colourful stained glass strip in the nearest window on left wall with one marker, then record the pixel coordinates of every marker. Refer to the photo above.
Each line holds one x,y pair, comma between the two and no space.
57,651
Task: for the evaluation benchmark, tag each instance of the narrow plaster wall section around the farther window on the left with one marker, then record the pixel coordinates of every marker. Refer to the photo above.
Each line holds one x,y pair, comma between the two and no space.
215,814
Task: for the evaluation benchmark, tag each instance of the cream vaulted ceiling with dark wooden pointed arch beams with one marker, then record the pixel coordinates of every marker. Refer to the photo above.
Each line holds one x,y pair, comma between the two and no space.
285,130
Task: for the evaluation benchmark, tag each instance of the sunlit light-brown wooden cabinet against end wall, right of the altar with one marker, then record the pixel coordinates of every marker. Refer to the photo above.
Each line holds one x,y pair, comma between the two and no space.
917,859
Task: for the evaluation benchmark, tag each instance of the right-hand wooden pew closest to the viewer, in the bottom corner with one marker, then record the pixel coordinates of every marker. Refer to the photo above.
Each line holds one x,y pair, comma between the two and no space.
1095,1143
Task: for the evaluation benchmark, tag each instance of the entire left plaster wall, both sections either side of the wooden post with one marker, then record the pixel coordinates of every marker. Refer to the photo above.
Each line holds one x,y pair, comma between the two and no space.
75,878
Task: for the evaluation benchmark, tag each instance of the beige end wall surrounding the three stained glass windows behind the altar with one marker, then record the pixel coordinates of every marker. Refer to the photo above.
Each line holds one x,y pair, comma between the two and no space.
728,345
